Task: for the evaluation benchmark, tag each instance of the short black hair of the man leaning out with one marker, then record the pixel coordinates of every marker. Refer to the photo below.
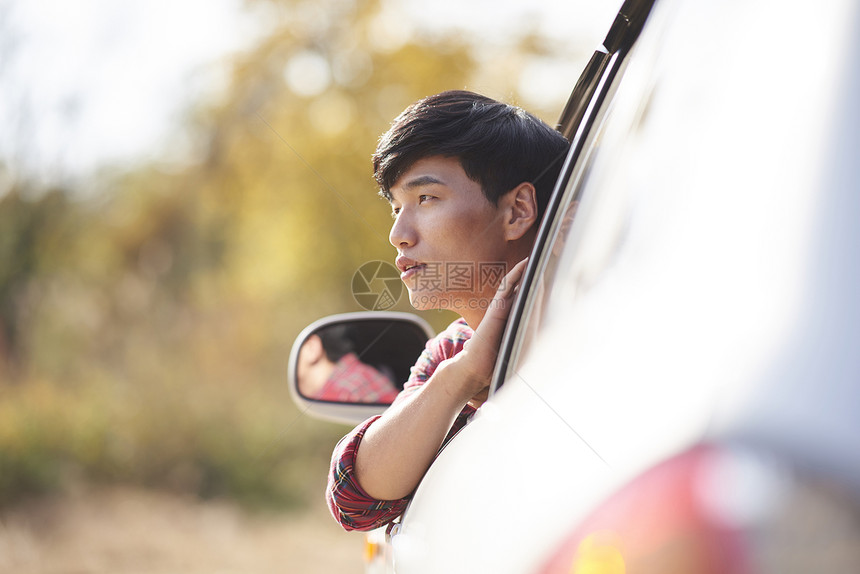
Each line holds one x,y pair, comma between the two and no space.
498,145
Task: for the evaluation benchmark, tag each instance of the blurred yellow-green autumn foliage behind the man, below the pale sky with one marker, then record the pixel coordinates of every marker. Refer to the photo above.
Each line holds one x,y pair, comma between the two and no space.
144,330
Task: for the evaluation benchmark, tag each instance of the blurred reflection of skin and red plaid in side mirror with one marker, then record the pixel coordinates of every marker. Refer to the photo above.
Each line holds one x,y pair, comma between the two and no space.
328,370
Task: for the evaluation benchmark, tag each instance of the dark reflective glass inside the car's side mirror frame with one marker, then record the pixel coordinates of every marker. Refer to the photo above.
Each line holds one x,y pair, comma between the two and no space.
357,361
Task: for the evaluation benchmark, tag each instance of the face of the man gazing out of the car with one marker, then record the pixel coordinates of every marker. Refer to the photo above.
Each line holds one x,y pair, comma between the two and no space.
449,237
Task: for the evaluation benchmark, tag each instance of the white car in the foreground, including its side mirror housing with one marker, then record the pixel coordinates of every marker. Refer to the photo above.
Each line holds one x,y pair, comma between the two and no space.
679,384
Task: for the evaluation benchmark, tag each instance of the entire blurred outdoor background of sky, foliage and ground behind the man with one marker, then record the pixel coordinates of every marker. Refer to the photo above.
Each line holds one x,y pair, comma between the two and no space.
183,187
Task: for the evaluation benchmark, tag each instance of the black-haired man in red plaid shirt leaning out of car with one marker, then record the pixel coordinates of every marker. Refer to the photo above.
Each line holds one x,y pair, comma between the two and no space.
468,179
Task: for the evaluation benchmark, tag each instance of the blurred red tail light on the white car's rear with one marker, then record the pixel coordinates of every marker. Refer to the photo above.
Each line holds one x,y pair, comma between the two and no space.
660,523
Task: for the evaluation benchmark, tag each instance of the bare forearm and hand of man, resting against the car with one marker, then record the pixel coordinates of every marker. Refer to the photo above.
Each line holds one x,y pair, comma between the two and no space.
398,448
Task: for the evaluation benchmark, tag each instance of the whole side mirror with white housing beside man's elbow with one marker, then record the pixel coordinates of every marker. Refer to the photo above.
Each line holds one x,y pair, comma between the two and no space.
346,368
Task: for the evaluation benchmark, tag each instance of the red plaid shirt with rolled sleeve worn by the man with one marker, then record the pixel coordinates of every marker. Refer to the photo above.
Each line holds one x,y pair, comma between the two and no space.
351,506
